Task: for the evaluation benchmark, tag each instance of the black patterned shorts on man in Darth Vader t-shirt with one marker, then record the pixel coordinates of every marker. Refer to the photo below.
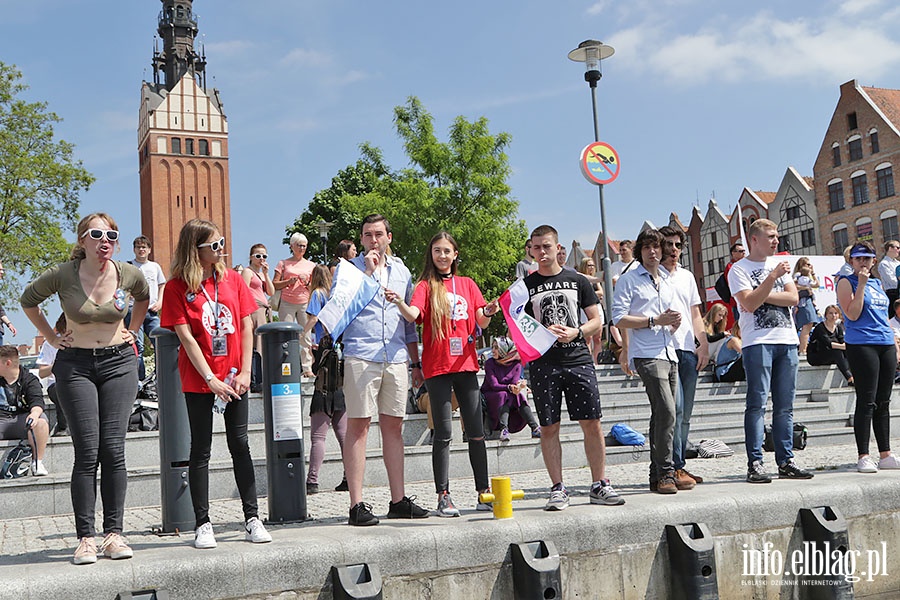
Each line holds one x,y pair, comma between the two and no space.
579,383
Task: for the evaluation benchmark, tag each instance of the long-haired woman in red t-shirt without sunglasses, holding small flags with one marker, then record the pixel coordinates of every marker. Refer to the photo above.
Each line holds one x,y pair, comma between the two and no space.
449,307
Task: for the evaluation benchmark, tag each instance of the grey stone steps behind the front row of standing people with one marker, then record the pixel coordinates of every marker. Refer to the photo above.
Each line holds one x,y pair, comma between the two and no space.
824,403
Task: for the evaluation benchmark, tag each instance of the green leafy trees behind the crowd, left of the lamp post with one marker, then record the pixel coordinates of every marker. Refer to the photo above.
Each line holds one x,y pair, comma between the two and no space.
458,186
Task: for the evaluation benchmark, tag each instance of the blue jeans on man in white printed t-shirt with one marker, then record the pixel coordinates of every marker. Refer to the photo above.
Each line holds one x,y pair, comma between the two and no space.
770,366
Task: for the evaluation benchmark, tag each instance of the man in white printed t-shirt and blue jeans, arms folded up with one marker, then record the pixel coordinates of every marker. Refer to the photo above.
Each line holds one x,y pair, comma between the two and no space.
765,295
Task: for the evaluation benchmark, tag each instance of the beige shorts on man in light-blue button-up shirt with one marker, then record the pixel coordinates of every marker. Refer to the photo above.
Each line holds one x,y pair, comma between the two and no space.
372,388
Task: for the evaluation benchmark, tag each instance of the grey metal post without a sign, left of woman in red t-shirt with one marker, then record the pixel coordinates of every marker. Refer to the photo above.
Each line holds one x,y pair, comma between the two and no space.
174,436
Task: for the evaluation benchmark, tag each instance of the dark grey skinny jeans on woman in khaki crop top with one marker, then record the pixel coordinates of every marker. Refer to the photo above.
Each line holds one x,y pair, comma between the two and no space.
96,390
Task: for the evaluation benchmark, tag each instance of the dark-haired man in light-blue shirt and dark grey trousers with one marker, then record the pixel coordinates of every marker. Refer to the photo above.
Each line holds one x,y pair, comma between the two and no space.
643,303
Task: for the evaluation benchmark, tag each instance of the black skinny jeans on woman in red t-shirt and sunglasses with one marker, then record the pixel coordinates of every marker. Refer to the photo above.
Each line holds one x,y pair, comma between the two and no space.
200,416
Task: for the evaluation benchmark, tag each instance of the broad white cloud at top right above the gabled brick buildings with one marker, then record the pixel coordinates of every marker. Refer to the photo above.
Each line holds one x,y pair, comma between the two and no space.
764,47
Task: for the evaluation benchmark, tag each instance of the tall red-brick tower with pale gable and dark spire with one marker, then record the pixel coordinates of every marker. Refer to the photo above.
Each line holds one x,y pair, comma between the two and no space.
182,138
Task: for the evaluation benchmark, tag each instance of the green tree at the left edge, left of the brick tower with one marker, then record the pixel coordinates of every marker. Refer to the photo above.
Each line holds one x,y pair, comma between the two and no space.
40,181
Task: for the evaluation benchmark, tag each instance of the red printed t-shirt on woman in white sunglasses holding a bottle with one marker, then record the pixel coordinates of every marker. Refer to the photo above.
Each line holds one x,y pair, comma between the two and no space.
181,306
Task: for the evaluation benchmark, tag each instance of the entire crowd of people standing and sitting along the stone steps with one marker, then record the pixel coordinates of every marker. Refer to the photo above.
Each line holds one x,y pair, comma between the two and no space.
94,353
